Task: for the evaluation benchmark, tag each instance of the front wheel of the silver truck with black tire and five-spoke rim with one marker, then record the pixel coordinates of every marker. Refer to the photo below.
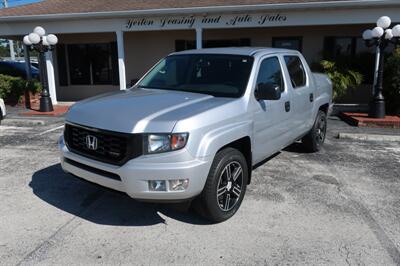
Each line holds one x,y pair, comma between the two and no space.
225,186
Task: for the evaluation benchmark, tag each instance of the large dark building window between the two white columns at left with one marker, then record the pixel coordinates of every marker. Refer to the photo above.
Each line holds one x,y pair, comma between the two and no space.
87,64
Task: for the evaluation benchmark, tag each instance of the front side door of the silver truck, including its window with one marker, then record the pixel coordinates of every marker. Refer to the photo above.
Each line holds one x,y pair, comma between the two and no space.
271,117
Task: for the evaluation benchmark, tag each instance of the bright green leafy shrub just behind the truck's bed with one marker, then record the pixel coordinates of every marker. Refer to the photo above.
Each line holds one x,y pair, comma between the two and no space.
342,78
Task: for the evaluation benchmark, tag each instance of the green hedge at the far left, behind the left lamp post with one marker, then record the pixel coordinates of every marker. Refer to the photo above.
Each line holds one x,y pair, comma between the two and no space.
12,88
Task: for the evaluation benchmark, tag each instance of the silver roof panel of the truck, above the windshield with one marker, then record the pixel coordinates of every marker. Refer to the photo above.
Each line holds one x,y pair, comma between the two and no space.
249,51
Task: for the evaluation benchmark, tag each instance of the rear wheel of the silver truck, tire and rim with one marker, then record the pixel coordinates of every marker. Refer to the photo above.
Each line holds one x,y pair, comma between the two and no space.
314,140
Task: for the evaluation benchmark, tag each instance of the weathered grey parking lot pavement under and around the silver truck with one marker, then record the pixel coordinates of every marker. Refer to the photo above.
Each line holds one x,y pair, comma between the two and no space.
340,206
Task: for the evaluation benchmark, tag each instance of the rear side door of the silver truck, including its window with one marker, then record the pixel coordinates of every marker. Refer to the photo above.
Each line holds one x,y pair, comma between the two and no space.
302,94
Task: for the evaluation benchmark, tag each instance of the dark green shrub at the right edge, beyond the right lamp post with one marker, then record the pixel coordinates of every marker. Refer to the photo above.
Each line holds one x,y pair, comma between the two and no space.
391,88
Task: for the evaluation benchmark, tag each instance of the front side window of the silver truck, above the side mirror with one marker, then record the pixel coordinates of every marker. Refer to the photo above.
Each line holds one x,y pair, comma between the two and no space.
271,72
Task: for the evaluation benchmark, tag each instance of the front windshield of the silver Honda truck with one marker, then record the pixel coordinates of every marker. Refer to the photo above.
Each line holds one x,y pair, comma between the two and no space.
215,74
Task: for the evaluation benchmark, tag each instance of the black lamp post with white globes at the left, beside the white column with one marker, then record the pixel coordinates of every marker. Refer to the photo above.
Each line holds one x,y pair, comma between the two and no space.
42,44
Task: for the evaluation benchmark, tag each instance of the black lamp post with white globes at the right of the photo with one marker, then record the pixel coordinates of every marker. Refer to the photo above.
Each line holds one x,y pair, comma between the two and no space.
380,36
